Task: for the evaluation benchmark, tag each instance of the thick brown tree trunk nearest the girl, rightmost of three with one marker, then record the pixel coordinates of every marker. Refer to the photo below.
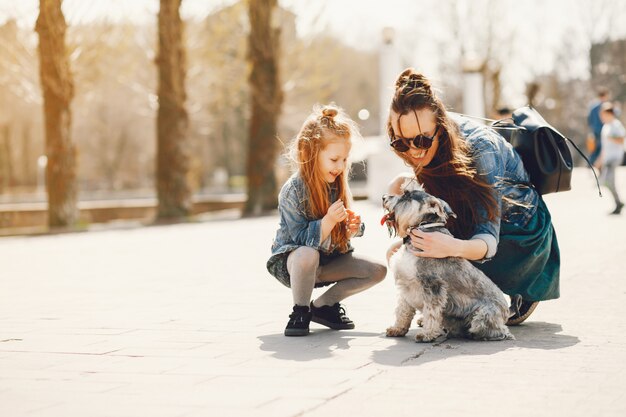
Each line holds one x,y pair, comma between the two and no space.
266,98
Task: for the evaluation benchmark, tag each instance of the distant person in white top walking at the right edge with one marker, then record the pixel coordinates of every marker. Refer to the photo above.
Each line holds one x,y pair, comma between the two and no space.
612,154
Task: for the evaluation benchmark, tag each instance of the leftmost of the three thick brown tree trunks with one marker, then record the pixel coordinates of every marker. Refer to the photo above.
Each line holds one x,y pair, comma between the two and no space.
58,91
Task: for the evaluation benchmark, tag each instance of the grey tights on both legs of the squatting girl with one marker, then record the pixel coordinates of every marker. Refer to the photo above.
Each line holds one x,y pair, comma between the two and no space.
353,275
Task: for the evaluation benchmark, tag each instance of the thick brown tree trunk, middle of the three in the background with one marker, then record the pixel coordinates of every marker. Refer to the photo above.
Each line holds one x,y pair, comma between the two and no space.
173,183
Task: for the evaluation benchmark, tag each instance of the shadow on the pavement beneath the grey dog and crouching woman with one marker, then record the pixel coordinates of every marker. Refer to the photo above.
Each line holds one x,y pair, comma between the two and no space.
533,335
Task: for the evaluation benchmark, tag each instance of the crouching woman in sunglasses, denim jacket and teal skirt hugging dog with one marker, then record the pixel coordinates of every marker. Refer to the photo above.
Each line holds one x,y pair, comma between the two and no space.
502,223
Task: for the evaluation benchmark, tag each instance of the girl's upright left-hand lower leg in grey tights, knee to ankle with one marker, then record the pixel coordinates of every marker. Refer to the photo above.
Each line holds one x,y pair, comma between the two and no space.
302,265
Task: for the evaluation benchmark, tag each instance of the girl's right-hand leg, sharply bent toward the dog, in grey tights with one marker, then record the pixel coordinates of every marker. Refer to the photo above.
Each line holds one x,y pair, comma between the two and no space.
353,275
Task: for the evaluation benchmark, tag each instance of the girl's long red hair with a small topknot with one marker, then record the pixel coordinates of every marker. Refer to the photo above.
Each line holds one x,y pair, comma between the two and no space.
324,125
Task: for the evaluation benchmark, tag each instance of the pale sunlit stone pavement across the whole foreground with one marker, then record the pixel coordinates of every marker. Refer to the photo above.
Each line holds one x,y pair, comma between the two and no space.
184,320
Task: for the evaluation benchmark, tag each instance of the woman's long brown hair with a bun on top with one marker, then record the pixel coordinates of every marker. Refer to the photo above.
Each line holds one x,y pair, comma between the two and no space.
451,175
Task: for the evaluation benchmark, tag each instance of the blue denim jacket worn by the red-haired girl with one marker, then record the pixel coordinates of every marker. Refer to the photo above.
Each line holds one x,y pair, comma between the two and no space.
297,228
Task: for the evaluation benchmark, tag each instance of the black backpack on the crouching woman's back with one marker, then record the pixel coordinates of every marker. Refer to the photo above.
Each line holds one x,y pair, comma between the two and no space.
544,150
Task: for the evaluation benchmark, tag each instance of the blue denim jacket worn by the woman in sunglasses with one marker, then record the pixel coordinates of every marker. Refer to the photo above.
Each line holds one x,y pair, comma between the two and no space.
500,165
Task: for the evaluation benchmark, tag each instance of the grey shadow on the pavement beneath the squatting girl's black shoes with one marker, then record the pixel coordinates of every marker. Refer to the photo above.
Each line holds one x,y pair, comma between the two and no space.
319,344
